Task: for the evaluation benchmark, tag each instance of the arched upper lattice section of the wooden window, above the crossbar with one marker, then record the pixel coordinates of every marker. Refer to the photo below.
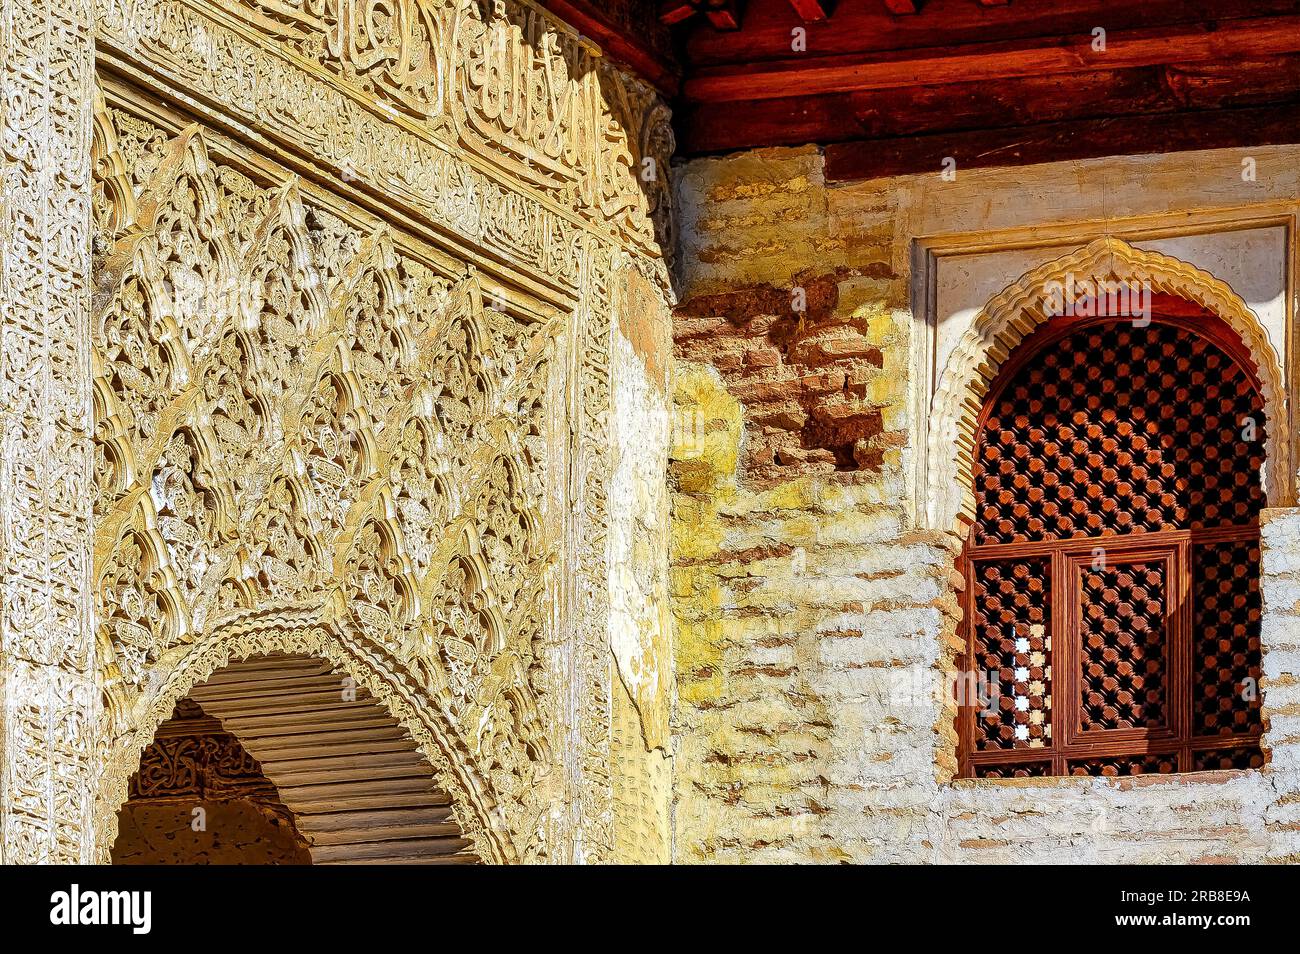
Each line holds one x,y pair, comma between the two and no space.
1120,430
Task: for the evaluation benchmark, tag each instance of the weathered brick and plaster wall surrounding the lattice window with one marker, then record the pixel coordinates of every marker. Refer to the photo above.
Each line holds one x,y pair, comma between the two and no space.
813,614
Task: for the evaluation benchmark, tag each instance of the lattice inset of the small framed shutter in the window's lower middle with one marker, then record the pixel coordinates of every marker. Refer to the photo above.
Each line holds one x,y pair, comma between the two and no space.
1124,647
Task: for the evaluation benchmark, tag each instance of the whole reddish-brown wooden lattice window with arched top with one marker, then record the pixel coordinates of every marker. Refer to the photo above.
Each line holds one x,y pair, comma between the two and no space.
1113,570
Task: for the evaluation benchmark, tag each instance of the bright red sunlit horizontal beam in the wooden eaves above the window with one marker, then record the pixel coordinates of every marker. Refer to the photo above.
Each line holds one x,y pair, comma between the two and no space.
993,62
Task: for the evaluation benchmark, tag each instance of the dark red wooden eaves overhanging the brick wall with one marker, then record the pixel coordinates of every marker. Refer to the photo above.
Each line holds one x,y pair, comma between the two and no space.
895,86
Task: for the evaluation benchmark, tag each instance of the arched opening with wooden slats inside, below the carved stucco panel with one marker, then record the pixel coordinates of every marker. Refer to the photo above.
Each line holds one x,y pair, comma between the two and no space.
284,760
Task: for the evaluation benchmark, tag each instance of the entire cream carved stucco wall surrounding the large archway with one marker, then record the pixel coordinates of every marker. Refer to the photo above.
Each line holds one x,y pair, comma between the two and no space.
357,362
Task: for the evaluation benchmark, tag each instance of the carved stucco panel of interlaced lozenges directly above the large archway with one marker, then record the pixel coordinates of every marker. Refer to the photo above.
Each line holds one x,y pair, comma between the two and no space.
301,427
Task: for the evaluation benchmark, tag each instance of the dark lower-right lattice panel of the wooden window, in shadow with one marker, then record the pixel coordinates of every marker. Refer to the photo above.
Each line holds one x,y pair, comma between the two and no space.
1227,638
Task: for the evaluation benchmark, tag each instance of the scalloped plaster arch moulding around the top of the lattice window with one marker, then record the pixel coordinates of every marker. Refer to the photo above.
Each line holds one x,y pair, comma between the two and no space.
1015,313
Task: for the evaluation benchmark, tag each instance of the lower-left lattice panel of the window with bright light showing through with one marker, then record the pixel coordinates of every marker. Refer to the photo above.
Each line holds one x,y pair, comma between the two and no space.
1012,622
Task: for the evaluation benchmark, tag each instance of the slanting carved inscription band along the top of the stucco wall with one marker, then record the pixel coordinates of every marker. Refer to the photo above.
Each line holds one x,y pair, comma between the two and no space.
486,116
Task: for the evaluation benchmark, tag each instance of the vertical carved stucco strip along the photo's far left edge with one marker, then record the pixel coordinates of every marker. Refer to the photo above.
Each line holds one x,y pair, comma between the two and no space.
47,660
